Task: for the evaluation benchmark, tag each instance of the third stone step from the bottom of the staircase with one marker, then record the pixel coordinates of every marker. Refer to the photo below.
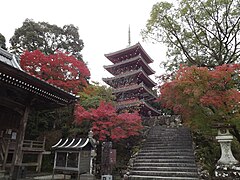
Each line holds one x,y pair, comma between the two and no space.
164,164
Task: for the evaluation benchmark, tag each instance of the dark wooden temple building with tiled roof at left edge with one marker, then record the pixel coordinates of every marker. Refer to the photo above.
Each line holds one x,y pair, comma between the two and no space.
19,94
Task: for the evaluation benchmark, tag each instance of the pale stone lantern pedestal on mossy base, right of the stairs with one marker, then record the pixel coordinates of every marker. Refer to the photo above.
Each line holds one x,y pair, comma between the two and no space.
227,166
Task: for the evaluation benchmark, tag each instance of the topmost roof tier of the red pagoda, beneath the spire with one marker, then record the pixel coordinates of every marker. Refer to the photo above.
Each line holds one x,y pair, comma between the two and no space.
128,53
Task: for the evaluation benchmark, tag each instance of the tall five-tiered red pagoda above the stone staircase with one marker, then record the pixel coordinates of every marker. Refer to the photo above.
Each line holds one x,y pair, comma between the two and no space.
131,83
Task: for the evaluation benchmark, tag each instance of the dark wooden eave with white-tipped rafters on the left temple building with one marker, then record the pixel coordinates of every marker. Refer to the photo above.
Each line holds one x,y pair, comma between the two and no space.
45,94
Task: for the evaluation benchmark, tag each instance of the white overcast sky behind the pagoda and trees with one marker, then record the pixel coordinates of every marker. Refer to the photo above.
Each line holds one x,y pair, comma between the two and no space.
103,25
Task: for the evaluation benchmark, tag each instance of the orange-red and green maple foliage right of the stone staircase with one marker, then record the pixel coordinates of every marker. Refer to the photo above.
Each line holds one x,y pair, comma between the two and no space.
196,89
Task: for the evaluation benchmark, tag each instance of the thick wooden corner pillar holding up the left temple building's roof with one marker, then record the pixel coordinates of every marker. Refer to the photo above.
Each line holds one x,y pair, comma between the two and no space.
18,154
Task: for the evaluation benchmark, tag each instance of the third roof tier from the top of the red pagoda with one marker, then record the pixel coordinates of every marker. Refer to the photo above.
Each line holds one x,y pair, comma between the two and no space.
140,73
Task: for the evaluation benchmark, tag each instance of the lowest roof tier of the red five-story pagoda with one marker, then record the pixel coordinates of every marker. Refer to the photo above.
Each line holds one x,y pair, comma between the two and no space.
138,103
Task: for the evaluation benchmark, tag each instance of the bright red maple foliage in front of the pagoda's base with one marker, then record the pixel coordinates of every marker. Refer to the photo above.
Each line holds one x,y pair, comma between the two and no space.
107,124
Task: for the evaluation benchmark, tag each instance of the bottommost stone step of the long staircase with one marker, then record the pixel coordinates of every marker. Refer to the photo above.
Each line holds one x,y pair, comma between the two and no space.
138,177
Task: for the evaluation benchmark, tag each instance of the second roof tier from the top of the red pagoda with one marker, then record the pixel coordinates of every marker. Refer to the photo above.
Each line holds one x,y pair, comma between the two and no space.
130,62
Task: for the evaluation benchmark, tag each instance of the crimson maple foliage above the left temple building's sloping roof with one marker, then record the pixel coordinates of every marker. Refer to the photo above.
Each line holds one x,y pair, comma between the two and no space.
58,69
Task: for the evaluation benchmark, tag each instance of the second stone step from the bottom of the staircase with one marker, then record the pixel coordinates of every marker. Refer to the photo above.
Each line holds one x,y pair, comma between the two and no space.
165,173
